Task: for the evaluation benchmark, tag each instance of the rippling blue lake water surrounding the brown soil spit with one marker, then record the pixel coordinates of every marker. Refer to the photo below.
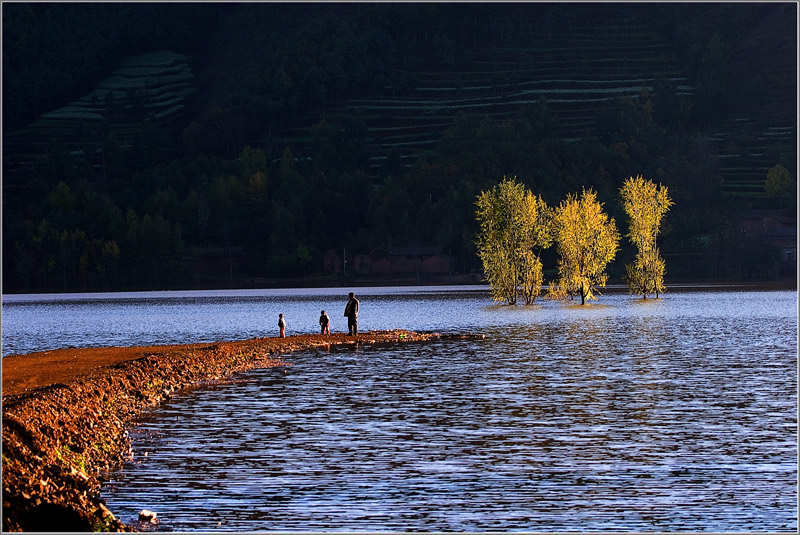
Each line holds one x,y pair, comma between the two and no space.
677,414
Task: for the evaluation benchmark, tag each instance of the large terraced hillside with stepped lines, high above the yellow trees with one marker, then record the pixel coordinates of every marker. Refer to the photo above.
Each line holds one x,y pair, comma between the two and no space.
575,70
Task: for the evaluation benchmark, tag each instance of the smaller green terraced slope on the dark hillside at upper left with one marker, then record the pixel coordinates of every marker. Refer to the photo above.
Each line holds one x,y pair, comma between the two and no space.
144,91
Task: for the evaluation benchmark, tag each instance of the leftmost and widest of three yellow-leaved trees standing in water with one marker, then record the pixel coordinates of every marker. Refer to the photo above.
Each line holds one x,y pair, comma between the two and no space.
515,226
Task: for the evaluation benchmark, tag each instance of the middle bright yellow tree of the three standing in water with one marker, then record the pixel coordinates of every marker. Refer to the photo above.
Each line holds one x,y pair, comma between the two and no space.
587,240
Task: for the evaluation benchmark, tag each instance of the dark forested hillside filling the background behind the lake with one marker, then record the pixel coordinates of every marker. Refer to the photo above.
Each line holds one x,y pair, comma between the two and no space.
257,137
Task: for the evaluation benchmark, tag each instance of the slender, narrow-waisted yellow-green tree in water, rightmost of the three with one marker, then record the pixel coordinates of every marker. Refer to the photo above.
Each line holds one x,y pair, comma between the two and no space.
645,203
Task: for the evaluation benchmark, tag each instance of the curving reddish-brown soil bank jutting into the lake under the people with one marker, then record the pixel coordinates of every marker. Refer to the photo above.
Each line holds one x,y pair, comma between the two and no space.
65,415
